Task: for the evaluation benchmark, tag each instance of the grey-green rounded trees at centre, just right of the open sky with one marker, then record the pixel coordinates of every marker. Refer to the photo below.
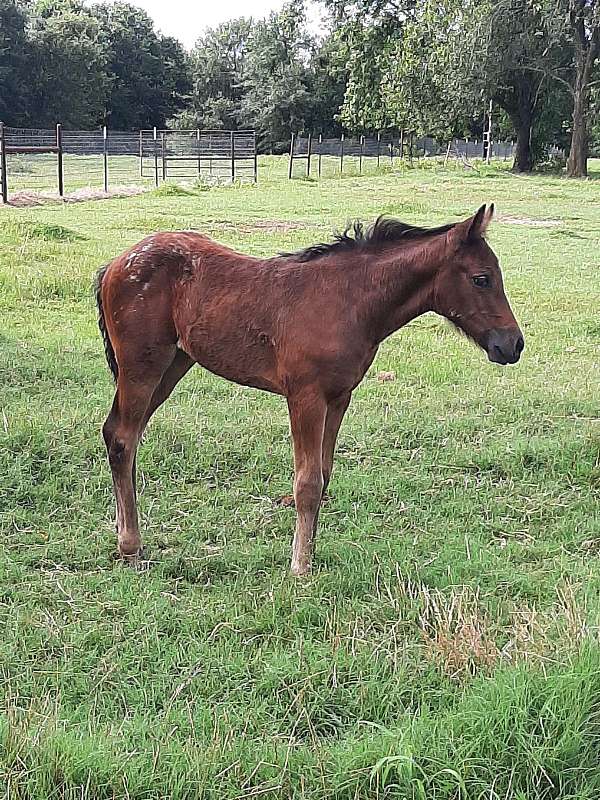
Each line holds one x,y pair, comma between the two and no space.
269,75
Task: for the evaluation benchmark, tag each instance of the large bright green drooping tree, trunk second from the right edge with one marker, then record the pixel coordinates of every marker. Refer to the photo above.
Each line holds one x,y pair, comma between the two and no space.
411,59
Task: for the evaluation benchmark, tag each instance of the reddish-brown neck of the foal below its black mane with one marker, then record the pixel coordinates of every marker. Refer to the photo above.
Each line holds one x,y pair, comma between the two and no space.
402,281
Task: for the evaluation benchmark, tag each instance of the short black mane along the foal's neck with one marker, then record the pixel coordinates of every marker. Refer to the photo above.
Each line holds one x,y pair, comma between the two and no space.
355,236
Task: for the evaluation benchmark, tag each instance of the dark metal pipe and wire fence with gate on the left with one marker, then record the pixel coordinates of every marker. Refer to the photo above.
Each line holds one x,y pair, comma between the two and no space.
60,160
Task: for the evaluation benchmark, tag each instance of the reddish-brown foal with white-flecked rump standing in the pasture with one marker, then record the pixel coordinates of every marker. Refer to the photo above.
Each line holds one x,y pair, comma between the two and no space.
304,325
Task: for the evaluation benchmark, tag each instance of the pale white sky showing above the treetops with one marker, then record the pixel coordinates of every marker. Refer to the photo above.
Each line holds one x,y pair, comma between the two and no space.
187,19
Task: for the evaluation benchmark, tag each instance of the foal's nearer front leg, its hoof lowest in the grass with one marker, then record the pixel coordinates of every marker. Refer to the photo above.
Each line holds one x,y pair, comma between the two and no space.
308,411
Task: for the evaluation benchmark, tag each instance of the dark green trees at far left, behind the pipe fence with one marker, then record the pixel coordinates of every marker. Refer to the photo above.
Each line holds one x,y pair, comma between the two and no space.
84,66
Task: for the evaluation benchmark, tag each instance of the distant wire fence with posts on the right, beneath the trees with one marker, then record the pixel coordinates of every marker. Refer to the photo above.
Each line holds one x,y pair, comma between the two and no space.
385,148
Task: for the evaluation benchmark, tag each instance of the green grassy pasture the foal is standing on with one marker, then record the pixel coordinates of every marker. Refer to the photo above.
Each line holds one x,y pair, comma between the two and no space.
446,646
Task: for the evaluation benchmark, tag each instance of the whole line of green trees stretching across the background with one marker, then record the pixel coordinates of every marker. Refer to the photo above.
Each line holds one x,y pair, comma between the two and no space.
428,66
